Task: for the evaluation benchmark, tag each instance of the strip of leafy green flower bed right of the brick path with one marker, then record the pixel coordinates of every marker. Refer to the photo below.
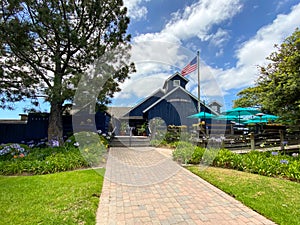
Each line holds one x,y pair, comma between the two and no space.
273,164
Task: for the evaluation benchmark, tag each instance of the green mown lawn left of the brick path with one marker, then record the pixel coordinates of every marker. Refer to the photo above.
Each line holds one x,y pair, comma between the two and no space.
60,198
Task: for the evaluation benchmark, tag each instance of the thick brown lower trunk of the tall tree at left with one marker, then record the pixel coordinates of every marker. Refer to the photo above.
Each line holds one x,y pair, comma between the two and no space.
55,127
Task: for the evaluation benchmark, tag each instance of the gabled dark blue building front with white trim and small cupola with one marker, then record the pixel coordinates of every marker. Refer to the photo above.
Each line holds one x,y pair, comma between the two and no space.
172,103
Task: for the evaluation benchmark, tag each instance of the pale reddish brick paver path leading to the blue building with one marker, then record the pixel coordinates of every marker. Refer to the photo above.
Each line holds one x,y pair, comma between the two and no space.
144,186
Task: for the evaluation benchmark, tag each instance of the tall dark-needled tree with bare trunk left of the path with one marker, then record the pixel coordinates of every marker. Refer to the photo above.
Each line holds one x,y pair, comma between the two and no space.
47,46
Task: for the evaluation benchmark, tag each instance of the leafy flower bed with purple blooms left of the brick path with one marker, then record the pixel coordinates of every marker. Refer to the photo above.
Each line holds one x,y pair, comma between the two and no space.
44,159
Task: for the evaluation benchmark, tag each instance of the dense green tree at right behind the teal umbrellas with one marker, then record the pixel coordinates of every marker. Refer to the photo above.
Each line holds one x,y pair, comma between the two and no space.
277,89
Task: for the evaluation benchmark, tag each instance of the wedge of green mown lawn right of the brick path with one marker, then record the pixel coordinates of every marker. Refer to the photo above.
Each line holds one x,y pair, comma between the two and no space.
276,199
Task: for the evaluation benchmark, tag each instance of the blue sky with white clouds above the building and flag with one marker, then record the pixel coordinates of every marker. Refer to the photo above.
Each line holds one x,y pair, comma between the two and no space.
232,36
